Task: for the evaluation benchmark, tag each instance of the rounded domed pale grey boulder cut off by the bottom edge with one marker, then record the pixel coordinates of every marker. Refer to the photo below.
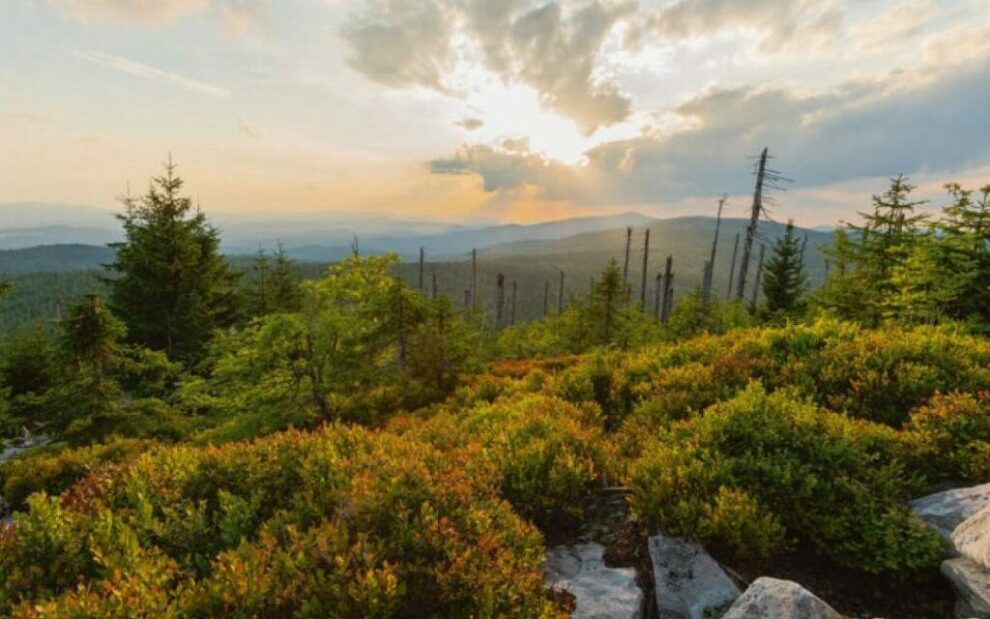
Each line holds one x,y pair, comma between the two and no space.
780,599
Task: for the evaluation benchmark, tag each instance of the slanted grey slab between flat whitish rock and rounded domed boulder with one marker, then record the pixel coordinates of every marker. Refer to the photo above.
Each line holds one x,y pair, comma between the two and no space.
687,581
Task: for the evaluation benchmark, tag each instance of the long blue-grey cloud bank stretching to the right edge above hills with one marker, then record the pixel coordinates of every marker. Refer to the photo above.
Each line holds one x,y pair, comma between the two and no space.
908,122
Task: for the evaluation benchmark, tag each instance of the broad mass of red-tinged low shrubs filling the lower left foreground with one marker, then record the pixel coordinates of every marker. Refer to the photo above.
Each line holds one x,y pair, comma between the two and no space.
340,521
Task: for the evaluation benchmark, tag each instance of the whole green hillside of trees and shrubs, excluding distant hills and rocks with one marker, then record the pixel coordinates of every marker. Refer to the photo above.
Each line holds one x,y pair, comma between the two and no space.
243,441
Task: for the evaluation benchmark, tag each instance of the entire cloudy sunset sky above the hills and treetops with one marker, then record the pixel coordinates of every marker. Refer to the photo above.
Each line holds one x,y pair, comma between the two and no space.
493,110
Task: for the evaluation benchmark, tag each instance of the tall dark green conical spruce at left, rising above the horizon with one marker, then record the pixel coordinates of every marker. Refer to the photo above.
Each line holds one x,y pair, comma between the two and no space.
169,283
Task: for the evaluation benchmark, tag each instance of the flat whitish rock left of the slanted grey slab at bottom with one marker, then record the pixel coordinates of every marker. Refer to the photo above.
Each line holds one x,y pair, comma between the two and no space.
600,592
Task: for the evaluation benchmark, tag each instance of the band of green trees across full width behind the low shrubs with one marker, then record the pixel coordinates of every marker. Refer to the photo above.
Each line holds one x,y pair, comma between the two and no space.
180,345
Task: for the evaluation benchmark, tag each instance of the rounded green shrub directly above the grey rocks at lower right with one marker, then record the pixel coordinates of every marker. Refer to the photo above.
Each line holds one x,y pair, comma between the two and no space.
825,478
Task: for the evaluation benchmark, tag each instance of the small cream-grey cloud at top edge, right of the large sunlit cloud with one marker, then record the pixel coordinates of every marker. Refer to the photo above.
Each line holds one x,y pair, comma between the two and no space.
782,24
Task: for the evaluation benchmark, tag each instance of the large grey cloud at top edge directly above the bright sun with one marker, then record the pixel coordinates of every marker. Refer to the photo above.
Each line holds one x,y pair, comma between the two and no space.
549,48
